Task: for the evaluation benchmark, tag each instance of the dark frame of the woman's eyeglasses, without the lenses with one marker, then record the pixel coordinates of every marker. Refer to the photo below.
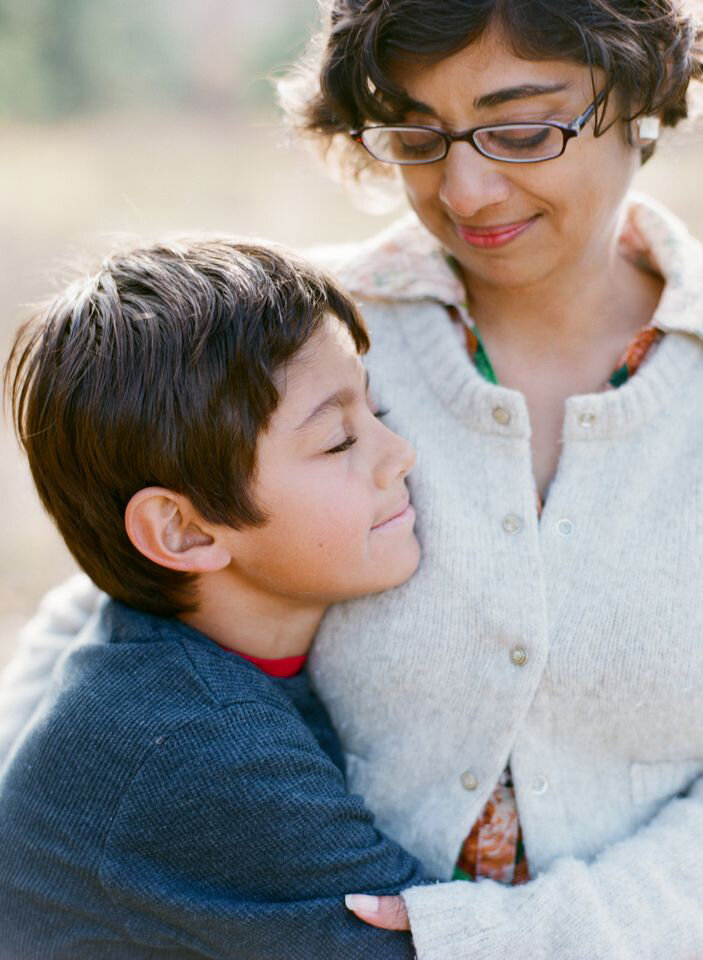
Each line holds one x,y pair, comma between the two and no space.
568,131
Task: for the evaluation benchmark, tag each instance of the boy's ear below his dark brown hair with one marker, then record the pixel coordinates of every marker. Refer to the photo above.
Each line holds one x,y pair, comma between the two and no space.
164,526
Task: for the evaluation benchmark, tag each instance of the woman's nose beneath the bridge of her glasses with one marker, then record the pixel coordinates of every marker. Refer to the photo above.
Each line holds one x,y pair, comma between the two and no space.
471,181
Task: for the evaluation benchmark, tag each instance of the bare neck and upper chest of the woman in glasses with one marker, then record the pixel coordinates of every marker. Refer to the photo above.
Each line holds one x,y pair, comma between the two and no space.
562,339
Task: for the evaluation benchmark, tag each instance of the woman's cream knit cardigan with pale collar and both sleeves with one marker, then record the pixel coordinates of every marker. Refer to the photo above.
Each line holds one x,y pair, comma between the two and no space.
572,647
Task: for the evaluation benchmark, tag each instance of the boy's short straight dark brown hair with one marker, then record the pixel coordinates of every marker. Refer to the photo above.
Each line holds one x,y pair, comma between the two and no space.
160,370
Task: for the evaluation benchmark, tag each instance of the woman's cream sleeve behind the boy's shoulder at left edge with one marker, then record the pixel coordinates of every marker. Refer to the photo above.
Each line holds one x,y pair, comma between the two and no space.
62,614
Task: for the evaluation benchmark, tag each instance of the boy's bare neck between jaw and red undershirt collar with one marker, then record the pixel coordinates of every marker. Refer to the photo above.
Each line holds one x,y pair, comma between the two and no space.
249,620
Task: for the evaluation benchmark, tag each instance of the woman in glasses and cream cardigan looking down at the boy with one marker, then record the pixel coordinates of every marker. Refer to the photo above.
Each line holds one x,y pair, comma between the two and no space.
528,707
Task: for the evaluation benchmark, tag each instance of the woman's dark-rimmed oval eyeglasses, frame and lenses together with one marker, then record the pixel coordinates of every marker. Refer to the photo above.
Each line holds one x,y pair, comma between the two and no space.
409,145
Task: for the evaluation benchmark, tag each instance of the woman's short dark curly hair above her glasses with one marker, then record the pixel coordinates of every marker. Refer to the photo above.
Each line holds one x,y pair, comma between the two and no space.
649,51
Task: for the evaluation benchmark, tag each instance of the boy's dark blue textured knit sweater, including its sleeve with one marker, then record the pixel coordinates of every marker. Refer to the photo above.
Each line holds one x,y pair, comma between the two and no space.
170,800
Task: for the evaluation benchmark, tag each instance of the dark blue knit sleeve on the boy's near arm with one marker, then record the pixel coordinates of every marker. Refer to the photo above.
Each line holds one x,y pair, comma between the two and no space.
238,839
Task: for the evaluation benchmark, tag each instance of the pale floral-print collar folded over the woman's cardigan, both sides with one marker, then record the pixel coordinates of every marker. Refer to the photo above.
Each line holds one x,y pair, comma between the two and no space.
407,263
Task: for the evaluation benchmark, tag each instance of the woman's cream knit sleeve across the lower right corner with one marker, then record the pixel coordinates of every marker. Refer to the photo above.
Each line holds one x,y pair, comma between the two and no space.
641,899
